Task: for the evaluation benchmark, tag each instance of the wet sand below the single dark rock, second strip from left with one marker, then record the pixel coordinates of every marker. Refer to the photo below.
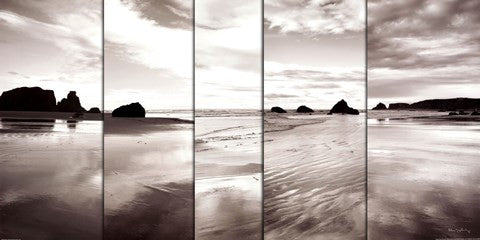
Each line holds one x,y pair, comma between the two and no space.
148,178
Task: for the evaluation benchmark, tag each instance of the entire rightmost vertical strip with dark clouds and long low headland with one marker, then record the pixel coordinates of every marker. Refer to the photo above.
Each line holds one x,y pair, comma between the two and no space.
423,126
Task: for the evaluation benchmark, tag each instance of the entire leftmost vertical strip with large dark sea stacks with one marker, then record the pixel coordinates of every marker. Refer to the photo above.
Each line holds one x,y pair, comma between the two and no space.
51,128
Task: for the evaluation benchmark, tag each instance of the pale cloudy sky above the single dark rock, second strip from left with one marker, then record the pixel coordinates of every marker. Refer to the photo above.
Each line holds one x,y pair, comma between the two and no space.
148,53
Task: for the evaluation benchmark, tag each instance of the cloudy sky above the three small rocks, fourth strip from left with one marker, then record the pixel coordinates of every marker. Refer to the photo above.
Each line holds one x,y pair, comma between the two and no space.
314,53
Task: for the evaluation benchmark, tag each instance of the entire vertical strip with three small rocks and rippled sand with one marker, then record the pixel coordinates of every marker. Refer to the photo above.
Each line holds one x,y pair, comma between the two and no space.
314,126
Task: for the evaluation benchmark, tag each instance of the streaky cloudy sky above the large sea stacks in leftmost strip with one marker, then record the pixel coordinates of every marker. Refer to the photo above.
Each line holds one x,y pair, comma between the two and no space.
53,44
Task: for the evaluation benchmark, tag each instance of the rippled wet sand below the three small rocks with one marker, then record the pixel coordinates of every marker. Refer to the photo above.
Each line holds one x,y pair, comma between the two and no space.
314,186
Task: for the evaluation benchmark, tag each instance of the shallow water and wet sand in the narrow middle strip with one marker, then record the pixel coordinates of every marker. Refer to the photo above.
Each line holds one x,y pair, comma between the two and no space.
228,177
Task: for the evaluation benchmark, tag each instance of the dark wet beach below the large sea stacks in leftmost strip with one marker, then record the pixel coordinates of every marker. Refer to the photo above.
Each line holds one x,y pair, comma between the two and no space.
51,180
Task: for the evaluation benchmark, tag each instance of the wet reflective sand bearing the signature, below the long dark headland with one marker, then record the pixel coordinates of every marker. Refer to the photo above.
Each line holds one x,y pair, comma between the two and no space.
423,179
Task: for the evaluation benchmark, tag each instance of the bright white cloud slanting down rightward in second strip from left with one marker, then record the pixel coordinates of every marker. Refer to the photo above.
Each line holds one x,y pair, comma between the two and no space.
145,42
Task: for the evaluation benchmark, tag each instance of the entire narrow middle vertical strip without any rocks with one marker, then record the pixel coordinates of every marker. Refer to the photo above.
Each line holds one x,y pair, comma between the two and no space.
228,81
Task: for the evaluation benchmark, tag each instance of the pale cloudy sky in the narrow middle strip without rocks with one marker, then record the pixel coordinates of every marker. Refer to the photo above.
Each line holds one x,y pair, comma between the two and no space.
228,38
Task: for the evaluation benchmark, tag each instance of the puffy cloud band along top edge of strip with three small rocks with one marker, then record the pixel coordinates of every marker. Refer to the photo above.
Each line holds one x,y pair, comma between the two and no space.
315,17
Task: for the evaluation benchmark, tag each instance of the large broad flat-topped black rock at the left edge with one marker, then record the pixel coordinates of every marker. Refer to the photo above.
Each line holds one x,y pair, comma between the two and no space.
28,99
